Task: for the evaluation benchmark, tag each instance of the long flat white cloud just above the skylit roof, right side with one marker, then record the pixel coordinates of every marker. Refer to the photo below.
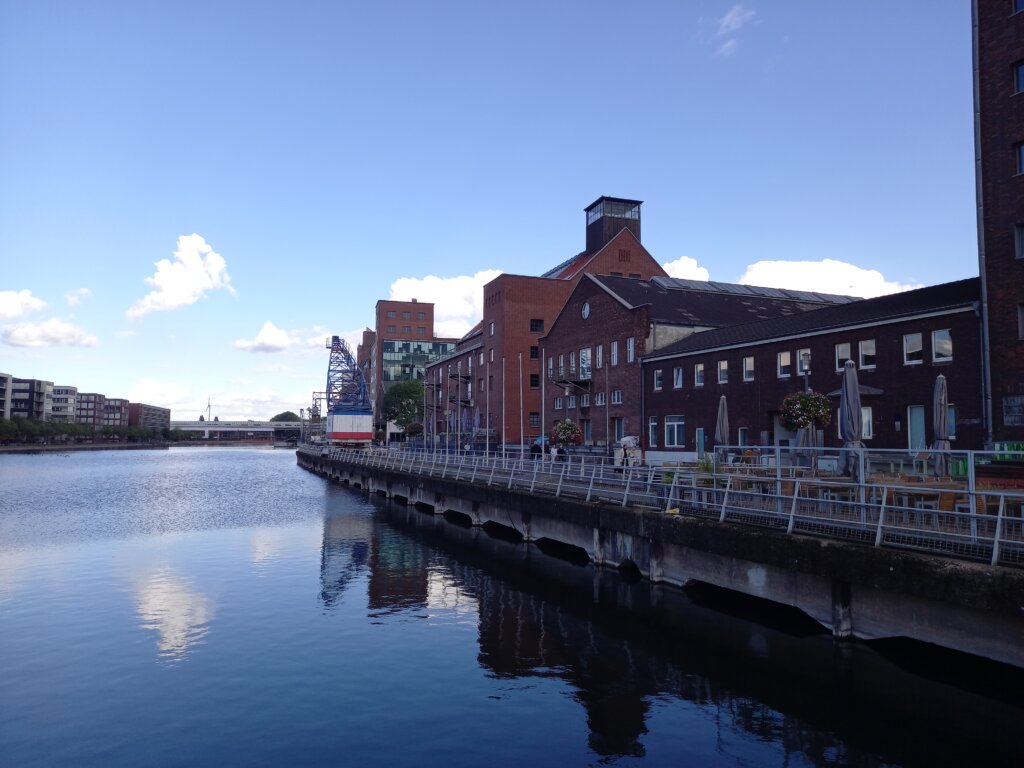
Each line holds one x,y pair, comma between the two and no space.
827,276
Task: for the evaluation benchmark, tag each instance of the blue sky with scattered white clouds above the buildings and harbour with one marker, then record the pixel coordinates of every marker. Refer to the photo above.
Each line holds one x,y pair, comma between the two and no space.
194,195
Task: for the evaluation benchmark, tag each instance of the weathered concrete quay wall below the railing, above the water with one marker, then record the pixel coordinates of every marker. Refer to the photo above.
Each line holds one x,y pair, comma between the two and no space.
852,589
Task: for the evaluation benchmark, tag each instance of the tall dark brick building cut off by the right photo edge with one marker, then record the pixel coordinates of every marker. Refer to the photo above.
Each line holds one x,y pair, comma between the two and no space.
1000,141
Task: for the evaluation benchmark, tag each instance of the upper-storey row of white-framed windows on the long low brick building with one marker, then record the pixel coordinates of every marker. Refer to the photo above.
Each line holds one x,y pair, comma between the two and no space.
914,355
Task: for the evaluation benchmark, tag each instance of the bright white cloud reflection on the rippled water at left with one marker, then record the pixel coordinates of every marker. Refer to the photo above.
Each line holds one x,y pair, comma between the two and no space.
180,615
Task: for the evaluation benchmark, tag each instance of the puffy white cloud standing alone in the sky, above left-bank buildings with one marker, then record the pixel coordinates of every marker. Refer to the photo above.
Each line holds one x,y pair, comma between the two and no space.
197,269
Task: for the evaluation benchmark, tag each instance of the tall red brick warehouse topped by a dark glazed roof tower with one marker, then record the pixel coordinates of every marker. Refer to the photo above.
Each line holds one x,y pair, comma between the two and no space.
519,310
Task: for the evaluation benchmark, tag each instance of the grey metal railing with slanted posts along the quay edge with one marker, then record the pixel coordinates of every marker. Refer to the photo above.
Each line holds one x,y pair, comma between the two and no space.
942,519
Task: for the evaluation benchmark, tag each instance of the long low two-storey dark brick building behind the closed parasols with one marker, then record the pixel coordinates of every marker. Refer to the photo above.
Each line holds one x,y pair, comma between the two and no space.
901,344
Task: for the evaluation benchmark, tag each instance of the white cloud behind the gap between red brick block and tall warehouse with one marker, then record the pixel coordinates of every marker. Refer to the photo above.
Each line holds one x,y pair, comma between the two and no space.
458,302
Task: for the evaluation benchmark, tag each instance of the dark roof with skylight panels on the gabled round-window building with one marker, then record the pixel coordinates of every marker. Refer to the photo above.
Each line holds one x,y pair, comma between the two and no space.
706,305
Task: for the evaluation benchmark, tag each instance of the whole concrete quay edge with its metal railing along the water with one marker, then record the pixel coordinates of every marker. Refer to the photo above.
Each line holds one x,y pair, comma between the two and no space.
863,560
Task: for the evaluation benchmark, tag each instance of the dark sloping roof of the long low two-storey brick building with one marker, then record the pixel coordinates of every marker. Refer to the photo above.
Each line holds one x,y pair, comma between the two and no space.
948,296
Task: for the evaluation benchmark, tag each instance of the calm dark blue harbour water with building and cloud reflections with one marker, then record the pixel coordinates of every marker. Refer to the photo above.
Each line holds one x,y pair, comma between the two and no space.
224,608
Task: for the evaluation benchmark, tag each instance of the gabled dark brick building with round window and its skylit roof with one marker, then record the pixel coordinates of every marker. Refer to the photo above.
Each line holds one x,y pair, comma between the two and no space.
592,354
